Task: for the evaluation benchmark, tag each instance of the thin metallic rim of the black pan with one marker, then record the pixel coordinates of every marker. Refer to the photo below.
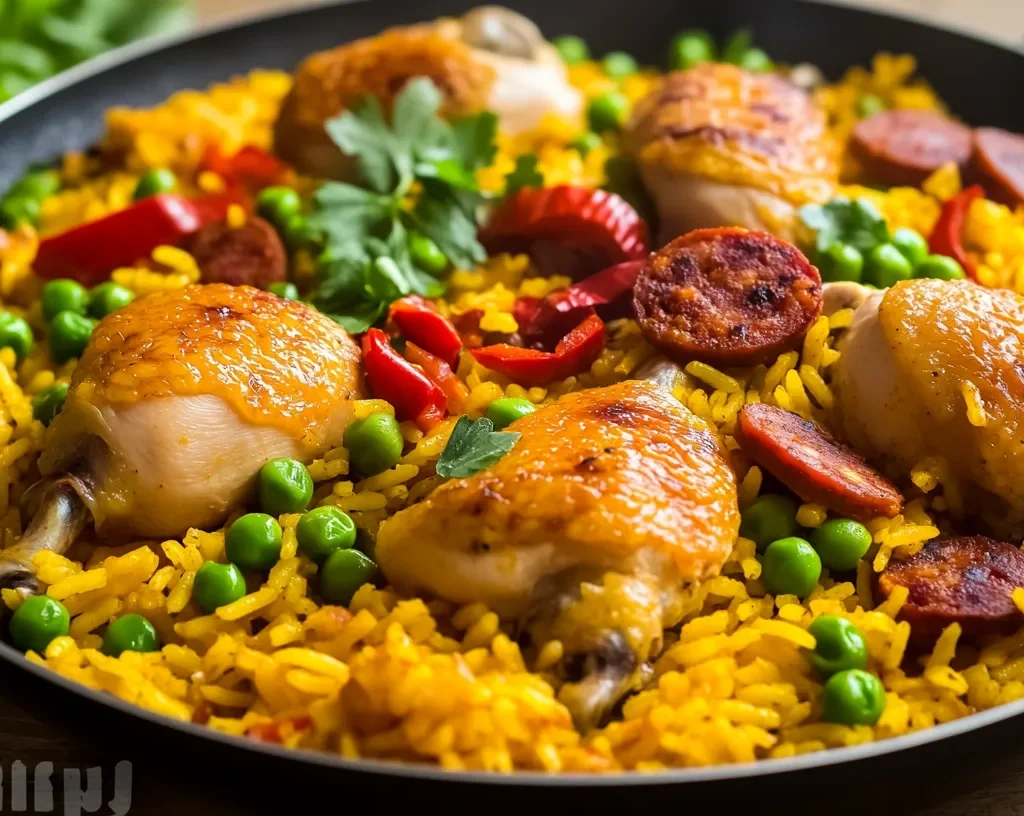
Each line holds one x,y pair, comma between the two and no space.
684,777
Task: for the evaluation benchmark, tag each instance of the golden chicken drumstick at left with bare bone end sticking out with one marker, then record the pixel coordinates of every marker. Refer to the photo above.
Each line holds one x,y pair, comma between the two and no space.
179,401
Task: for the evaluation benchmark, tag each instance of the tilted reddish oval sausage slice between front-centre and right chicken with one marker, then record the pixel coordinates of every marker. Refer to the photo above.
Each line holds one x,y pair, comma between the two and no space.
806,459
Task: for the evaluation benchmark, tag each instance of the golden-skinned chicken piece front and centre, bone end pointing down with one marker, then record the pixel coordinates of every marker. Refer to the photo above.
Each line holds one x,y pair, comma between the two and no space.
613,500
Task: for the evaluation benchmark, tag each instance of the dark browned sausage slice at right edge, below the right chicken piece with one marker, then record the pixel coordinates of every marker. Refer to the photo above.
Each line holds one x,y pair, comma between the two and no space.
967,580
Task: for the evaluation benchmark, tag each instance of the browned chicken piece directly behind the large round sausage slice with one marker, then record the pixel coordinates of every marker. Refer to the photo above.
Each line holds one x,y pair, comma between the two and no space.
720,147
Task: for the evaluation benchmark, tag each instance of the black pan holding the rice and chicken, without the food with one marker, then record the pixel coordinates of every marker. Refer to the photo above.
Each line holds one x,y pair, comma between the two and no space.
980,81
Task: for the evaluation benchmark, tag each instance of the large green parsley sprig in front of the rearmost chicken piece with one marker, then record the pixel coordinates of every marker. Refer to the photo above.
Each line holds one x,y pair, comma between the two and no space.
419,176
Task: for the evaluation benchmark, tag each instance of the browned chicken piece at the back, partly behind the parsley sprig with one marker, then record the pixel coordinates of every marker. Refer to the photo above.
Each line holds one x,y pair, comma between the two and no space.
490,60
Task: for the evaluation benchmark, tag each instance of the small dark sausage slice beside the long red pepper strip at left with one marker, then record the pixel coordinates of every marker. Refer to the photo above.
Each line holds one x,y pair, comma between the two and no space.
250,255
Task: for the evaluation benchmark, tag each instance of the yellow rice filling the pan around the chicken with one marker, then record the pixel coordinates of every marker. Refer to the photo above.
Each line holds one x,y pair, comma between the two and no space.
416,680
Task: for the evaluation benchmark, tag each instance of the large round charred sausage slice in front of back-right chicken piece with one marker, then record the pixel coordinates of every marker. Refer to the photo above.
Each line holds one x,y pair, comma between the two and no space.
728,296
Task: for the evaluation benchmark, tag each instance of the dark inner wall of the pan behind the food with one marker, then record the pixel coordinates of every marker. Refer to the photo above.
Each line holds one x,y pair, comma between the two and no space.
977,78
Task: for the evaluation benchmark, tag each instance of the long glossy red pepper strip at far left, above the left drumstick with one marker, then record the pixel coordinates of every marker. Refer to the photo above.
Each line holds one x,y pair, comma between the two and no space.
89,253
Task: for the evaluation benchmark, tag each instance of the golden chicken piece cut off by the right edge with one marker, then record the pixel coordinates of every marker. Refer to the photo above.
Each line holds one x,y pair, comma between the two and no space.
910,363
